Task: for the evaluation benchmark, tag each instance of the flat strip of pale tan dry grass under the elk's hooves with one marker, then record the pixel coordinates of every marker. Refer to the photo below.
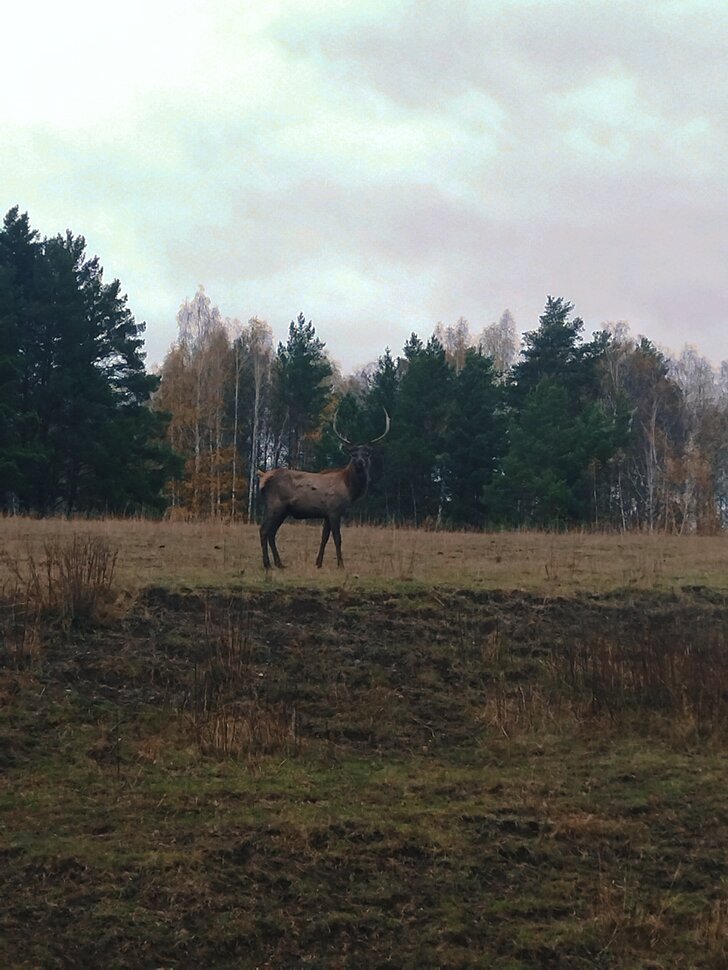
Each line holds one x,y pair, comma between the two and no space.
216,554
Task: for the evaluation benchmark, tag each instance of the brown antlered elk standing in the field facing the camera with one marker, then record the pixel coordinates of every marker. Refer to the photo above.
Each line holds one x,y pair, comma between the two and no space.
323,495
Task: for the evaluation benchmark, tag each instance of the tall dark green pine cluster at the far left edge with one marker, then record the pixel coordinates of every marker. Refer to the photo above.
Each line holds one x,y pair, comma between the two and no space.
83,435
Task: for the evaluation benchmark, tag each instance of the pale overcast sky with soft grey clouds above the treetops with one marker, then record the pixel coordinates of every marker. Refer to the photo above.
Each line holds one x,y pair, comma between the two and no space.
381,165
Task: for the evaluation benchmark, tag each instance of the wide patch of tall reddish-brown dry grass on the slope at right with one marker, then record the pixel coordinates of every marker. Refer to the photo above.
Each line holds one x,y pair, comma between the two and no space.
664,672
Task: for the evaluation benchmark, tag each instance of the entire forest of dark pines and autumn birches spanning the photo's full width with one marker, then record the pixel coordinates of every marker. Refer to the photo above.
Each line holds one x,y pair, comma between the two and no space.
488,430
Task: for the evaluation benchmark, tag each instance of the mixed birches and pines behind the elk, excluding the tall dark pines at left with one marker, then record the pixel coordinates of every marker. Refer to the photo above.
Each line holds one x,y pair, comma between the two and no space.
558,430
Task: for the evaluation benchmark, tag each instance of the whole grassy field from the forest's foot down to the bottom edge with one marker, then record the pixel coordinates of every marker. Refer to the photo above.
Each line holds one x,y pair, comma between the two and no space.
496,750
